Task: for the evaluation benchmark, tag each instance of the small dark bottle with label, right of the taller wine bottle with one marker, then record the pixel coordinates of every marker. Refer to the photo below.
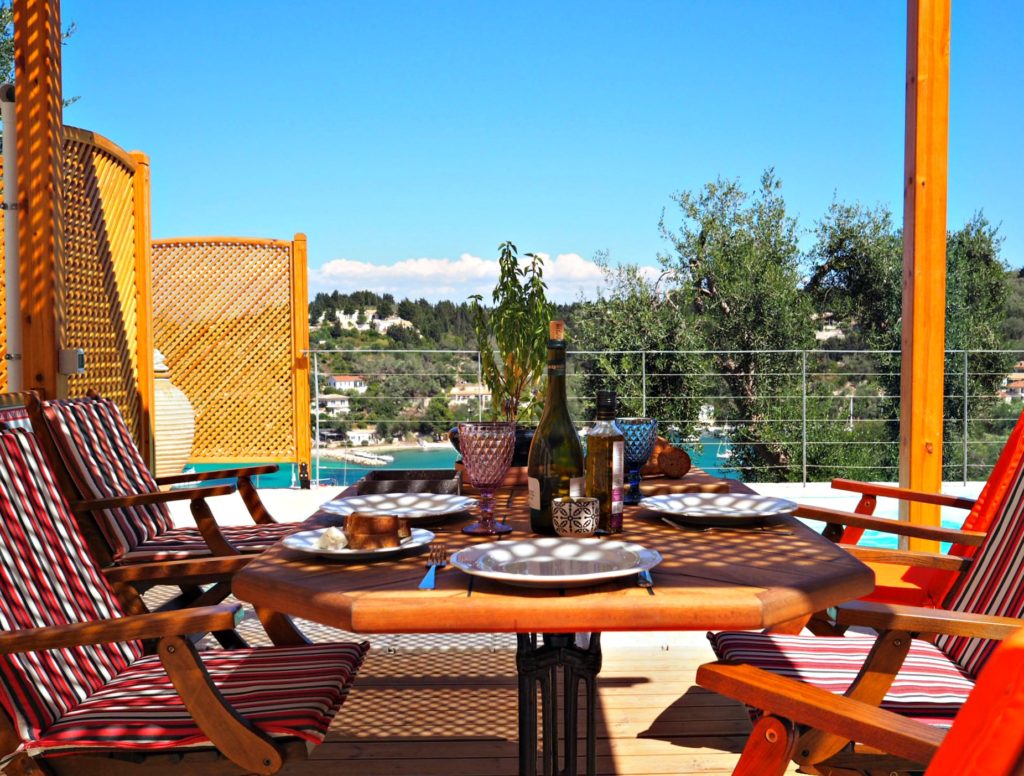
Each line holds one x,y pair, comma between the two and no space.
607,464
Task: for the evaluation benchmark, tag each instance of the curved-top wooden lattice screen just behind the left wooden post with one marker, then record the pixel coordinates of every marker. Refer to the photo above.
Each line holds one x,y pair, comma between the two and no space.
106,281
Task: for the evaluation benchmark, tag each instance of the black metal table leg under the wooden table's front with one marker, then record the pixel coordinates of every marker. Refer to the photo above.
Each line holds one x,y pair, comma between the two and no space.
539,668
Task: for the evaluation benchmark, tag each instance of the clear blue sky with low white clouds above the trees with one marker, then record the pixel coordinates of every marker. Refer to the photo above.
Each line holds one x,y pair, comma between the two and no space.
409,139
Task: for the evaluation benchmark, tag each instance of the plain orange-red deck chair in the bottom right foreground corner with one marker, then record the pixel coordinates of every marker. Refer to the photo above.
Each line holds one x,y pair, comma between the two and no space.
987,738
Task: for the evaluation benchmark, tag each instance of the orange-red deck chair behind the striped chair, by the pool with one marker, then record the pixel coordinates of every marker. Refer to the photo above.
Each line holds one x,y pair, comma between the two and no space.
918,579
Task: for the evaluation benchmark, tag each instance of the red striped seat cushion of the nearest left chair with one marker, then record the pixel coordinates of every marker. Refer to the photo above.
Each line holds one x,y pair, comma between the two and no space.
290,693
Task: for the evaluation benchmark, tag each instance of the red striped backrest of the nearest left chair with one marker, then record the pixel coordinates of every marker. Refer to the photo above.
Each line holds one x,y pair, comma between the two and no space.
48,579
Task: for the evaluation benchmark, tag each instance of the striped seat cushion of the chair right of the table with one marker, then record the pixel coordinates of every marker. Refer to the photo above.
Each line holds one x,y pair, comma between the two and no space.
930,687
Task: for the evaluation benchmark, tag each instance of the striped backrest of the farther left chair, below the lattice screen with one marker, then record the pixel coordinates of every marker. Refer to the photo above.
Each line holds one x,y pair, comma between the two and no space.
102,461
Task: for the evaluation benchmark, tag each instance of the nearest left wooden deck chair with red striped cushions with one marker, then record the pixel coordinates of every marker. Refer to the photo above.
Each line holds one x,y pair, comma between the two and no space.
79,697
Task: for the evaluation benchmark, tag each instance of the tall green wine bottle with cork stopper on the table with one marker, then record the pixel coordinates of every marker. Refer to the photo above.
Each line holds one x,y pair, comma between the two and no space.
554,469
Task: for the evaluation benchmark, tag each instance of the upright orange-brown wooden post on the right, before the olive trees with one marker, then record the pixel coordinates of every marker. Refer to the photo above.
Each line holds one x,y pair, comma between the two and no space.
924,256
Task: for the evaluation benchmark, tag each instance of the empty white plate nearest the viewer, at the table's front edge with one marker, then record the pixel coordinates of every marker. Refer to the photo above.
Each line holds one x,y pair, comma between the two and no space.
556,562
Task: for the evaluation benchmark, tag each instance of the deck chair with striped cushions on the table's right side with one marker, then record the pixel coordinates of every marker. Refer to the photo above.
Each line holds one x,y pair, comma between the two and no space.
923,680
